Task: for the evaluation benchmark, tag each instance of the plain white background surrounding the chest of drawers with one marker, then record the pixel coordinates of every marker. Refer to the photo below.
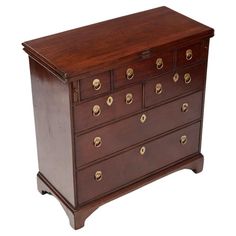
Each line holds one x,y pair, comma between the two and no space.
182,203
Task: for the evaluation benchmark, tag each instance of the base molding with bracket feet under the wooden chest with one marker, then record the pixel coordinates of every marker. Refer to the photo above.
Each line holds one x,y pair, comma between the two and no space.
77,216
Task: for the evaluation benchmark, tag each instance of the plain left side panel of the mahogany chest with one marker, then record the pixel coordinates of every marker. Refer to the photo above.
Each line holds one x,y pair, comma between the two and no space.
53,130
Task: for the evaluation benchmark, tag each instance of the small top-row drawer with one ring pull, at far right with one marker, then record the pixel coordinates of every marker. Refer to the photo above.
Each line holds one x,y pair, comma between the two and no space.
190,54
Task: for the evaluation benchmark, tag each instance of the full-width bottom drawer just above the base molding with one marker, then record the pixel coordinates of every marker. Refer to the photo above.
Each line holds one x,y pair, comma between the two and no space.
134,164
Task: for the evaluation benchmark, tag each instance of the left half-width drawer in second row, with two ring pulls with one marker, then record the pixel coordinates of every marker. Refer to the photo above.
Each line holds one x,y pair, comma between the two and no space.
107,108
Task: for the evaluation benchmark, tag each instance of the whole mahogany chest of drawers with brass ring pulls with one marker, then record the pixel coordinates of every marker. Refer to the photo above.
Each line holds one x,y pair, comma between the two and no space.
117,105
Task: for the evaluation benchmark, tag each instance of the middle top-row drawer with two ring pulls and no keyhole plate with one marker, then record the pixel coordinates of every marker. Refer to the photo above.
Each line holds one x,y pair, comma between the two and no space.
146,68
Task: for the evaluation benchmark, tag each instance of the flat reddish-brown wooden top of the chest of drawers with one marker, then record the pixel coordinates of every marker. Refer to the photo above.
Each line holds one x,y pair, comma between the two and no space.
77,51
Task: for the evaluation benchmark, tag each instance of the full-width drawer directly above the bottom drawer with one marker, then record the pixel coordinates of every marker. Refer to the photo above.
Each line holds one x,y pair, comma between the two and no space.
130,131
